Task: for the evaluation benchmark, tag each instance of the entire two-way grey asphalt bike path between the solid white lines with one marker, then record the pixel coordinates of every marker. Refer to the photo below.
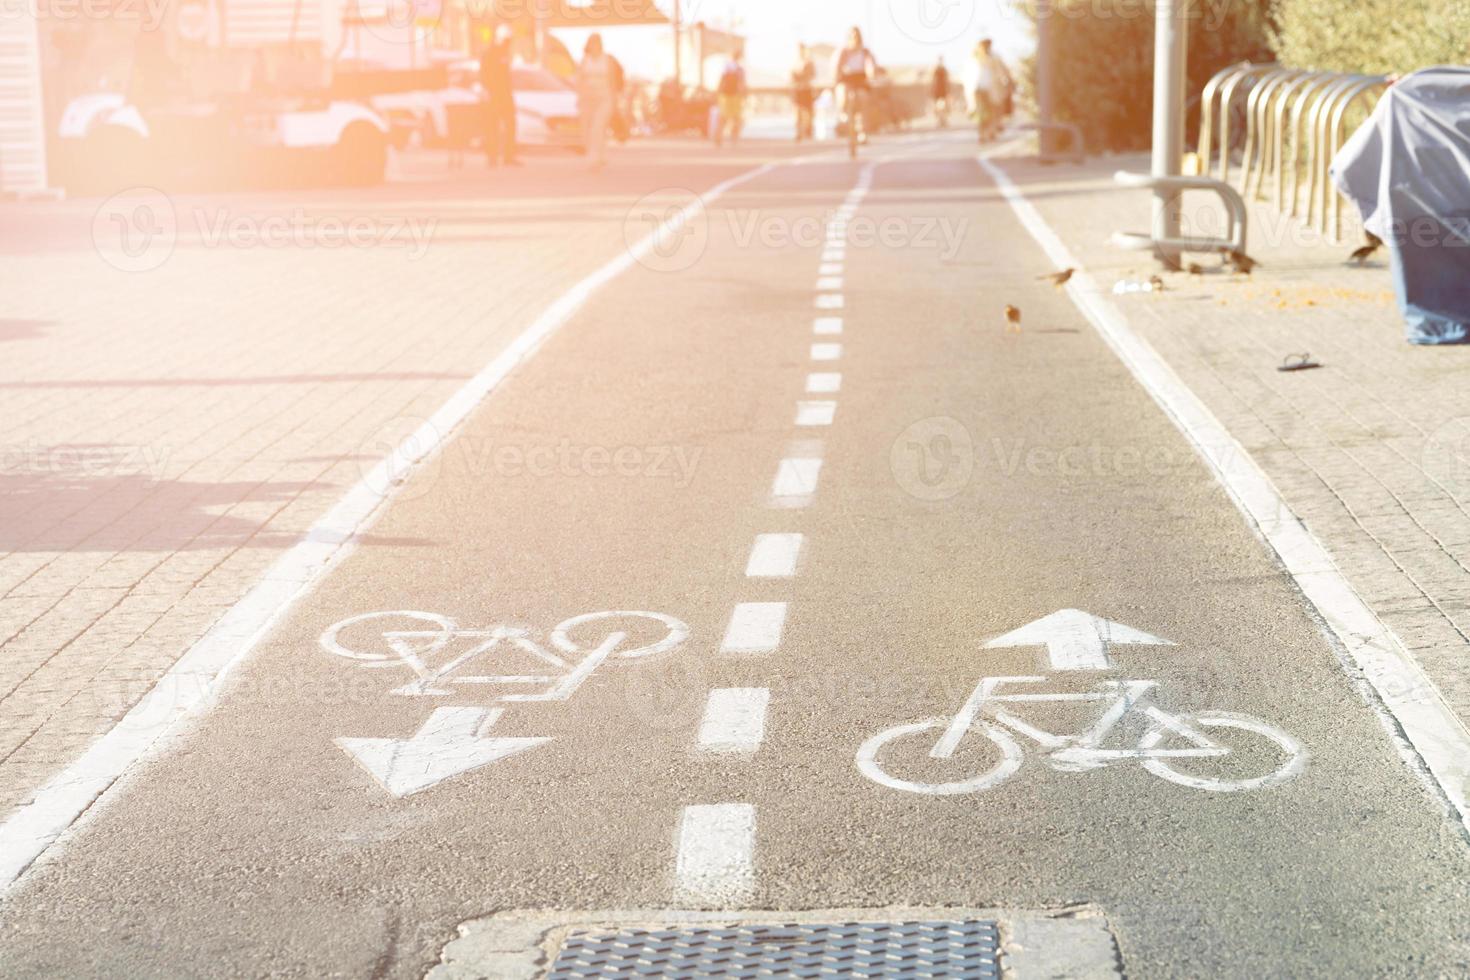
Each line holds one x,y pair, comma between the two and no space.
790,575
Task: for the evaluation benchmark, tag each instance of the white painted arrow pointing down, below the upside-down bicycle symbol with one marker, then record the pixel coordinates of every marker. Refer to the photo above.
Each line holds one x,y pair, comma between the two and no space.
449,744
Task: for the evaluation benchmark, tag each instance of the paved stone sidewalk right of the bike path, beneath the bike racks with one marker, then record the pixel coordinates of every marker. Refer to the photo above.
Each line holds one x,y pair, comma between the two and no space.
1372,450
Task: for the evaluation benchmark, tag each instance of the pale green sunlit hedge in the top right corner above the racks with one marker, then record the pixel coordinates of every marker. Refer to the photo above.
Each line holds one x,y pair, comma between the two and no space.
1374,37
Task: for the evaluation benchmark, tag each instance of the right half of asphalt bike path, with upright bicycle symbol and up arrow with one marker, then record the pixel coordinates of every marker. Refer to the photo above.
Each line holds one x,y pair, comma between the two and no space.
1065,668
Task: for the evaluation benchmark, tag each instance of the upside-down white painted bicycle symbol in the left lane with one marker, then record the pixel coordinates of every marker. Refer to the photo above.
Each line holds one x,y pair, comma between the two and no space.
443,657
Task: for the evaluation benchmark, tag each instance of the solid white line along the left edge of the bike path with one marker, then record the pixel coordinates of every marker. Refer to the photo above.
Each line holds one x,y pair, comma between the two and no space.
186,688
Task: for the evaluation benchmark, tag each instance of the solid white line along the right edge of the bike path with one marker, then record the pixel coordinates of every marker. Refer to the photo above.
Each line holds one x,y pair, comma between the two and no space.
1399,682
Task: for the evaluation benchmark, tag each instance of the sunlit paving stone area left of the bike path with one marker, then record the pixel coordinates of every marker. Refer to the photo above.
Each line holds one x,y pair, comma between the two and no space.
189,384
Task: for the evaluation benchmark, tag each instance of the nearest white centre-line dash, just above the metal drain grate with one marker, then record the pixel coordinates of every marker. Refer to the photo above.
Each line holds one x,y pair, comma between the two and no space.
717,865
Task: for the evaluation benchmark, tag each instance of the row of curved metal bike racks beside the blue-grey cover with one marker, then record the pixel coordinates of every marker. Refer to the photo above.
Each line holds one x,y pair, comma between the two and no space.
1293,123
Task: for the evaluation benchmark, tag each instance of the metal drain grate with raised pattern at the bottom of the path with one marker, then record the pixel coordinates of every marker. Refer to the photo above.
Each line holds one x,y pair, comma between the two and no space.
806,950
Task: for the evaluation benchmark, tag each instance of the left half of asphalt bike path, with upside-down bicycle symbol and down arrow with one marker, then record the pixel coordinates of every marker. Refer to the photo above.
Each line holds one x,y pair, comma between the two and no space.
452,722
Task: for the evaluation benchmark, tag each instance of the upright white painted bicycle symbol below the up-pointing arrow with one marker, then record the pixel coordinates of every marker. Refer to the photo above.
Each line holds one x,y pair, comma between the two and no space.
1174,747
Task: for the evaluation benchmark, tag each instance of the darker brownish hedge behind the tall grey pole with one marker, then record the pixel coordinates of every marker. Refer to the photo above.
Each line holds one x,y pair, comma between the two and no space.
1105,60
